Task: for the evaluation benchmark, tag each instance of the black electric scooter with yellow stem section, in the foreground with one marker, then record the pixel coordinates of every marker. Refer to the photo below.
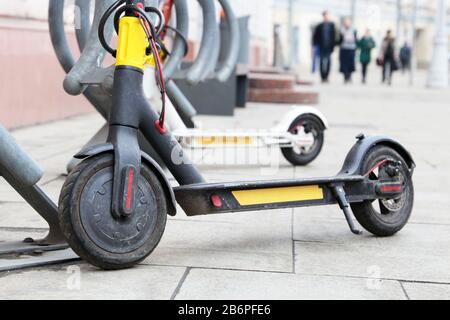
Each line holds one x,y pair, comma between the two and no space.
114,204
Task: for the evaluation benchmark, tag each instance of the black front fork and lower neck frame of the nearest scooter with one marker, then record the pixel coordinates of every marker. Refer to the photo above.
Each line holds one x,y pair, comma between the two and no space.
130,113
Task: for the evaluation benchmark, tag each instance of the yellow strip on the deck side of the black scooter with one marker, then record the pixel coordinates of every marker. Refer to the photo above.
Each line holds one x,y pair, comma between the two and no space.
278,195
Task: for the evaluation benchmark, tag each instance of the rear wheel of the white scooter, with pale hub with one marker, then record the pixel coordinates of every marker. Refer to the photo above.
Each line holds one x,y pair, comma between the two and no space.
310,132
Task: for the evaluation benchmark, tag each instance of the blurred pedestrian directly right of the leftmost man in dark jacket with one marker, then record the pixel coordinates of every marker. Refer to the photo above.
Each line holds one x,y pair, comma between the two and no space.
348,43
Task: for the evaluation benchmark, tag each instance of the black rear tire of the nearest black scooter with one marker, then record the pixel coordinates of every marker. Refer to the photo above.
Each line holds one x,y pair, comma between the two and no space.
392,215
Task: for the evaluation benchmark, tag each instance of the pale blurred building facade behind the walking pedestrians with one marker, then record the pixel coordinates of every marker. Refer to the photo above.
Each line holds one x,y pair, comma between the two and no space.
376,15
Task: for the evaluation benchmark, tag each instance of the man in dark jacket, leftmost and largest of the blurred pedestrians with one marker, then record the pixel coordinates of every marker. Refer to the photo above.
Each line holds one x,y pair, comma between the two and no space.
324,38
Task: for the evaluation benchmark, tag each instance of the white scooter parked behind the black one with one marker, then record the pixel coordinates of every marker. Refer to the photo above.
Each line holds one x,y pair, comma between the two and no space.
299,134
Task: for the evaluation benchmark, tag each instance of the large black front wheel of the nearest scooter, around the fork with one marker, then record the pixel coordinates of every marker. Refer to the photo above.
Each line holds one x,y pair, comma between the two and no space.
91,230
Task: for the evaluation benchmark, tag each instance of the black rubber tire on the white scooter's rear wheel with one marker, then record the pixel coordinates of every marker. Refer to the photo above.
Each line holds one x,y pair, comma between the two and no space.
312,125
